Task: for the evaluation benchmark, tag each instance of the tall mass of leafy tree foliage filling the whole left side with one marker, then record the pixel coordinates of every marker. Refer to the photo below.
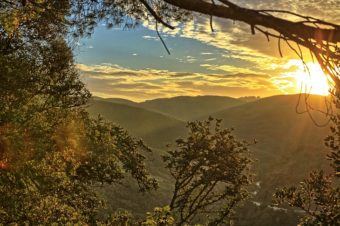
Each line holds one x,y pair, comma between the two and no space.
52,154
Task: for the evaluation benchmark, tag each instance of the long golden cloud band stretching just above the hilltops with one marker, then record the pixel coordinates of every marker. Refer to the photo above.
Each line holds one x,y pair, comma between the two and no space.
114,81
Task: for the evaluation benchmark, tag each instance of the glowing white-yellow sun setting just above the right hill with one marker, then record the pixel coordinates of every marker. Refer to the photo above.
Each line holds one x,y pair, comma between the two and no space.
315,82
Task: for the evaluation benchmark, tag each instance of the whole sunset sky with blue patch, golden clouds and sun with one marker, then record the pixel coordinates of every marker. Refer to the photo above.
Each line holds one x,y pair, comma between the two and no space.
230,61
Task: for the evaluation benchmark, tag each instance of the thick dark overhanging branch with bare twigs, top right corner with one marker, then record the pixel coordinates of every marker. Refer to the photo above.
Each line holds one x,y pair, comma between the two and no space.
320,37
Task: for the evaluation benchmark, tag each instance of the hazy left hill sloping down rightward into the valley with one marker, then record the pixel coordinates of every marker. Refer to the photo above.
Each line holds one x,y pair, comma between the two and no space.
156,129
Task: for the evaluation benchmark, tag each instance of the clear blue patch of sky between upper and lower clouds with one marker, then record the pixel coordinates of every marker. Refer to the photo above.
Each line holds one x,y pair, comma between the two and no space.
141,48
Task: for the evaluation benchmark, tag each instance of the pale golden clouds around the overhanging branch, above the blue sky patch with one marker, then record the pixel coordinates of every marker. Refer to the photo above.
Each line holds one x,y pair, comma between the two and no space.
236,40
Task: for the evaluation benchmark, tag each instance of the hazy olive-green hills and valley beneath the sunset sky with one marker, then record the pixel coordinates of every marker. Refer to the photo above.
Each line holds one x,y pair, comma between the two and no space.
289,146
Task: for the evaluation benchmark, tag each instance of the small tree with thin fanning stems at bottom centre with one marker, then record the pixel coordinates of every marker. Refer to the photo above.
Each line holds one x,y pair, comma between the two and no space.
211,170
